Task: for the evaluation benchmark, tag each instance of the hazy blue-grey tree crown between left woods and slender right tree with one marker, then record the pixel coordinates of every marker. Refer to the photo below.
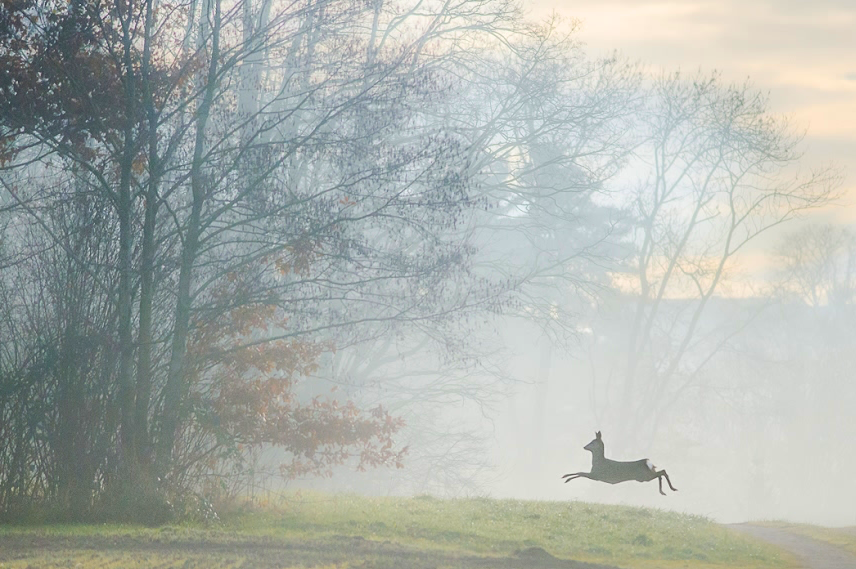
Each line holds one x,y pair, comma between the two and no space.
549,128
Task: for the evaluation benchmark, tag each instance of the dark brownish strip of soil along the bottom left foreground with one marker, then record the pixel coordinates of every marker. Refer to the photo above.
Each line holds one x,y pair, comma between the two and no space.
251,552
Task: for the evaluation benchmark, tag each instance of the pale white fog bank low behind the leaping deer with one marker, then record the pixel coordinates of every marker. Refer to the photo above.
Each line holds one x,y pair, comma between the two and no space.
764,432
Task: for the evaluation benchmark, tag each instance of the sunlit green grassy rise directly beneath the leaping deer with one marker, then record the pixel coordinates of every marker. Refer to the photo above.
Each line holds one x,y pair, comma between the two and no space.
590,532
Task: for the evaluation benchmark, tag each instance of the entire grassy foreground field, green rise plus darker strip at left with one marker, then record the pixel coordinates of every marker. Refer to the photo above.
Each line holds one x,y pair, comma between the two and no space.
313,530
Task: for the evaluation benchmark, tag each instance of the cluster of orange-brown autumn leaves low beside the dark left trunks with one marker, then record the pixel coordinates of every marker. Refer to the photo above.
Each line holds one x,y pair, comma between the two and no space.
246,385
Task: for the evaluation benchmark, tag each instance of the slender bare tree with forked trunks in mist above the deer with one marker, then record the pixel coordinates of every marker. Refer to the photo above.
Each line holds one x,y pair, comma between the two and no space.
716,170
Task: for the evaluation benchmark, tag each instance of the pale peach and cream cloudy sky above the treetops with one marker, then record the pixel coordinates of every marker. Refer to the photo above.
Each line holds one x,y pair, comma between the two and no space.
802,51
